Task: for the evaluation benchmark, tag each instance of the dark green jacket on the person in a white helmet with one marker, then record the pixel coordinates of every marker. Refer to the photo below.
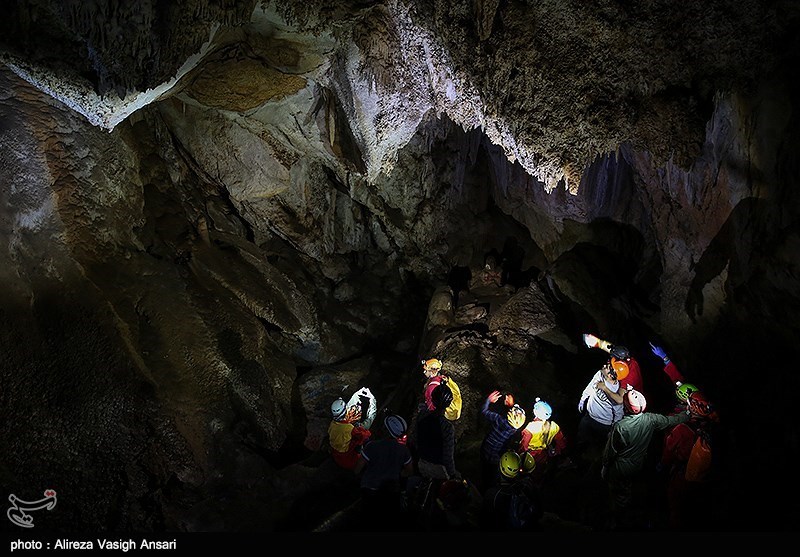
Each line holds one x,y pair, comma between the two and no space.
626,447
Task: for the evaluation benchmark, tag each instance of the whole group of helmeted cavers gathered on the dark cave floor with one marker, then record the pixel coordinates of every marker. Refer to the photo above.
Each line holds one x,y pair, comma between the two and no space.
408,477
